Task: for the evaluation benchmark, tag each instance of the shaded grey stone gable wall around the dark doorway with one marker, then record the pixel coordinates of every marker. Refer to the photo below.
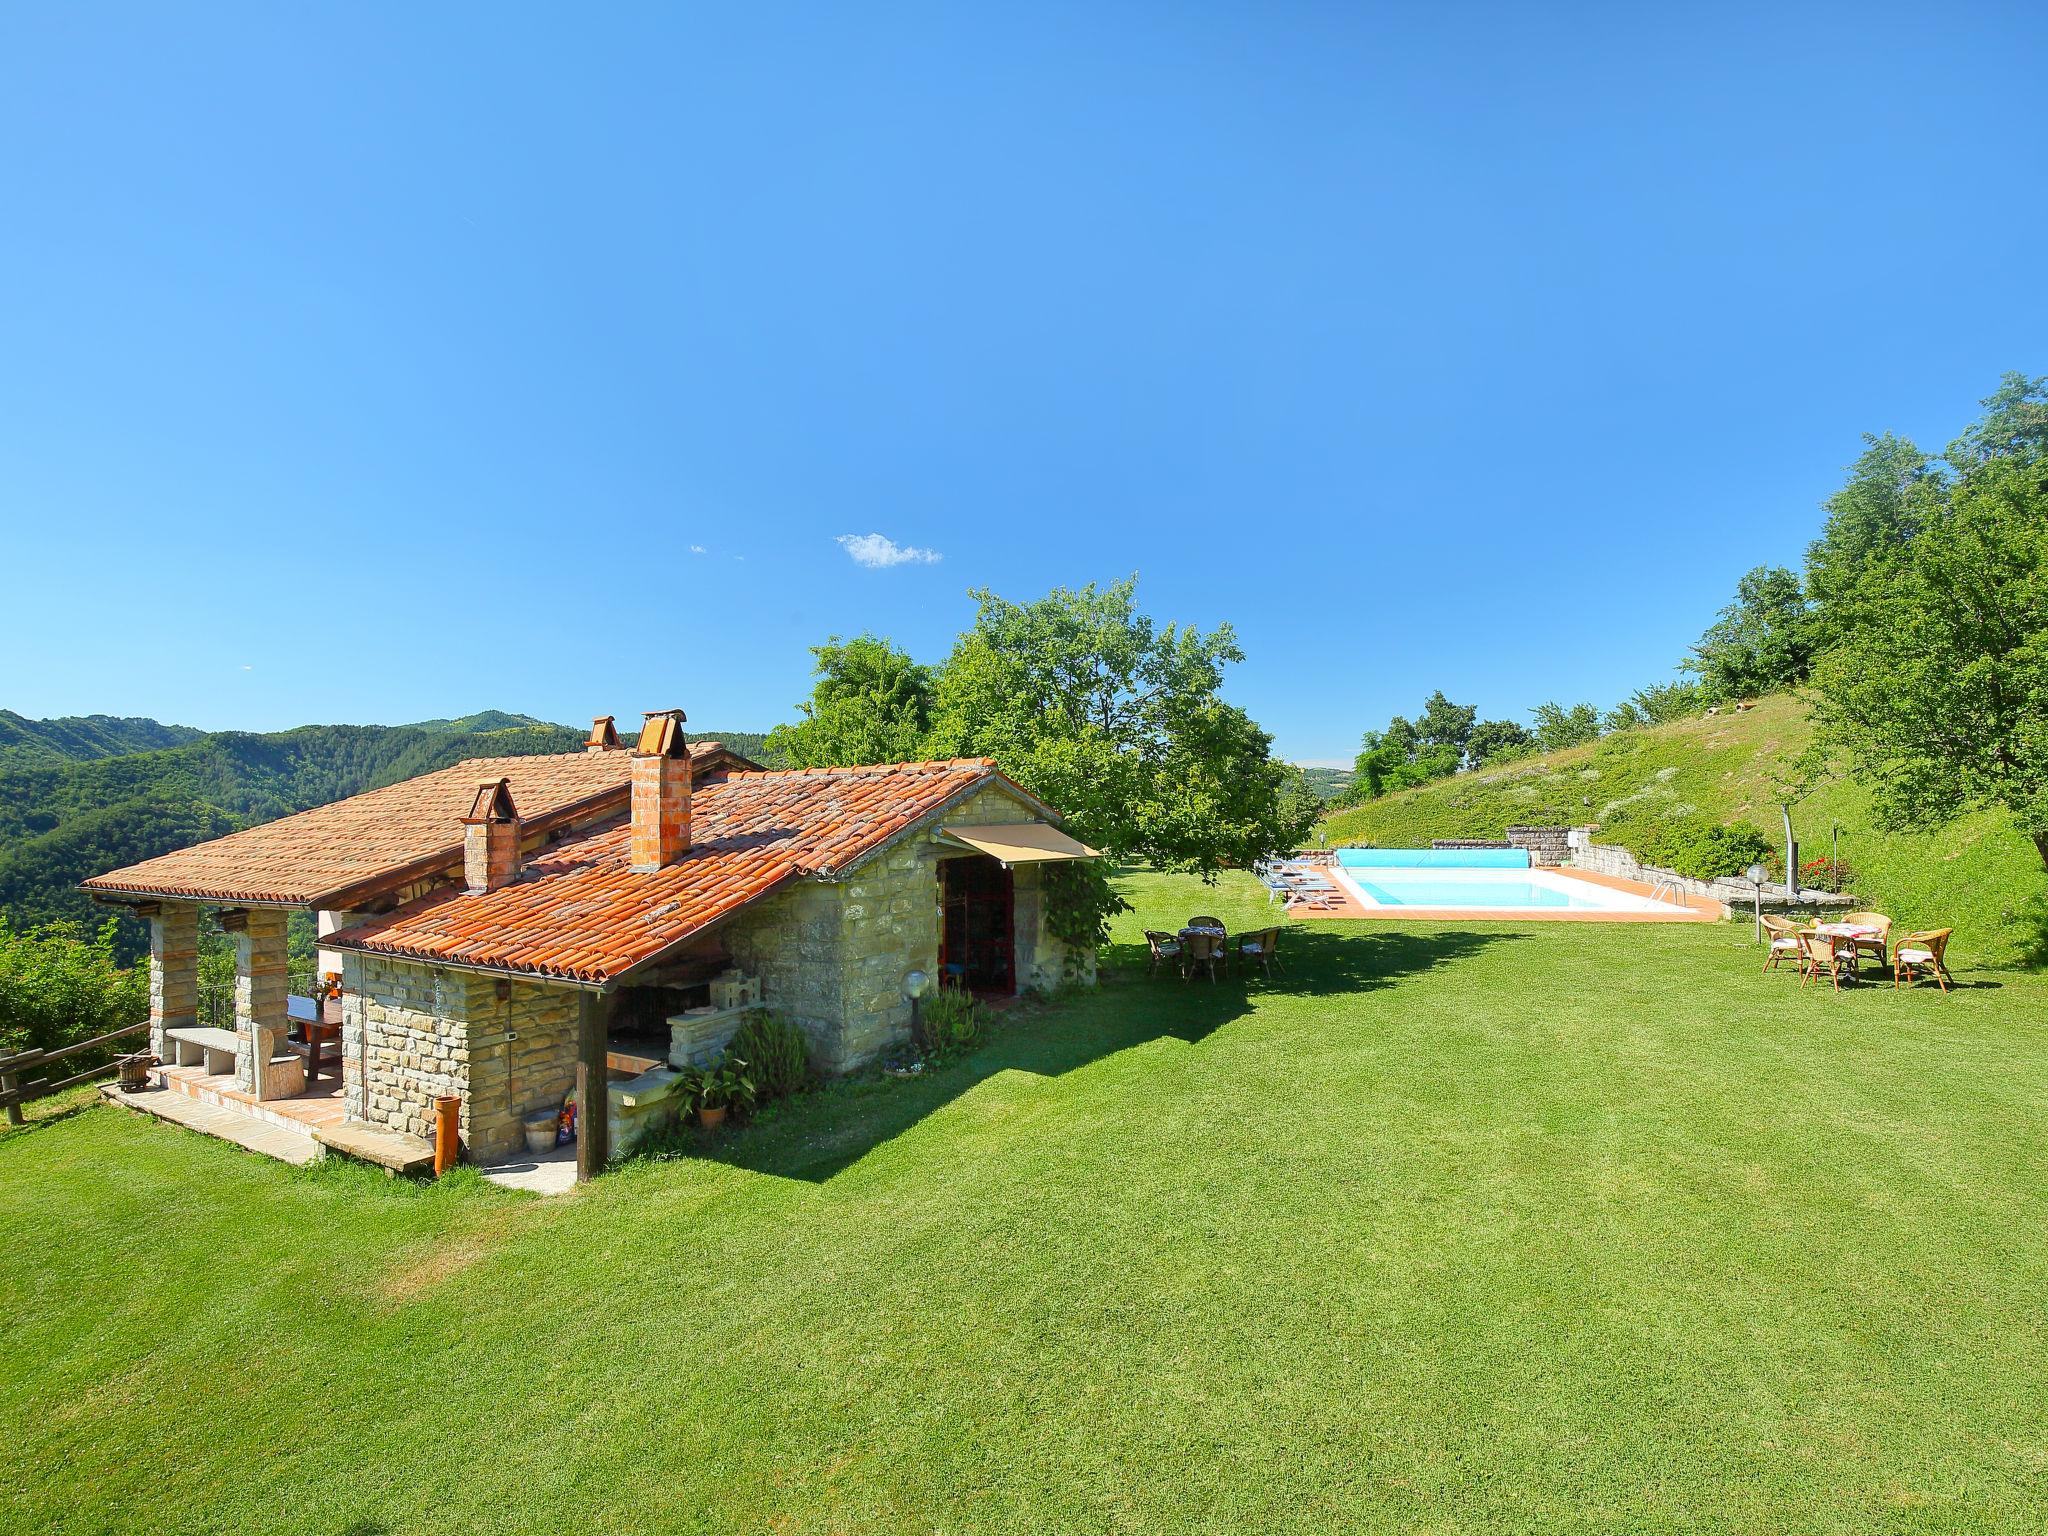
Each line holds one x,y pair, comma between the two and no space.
833,953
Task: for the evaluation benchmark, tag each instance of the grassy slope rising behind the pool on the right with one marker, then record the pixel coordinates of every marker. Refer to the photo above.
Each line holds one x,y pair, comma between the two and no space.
1977,876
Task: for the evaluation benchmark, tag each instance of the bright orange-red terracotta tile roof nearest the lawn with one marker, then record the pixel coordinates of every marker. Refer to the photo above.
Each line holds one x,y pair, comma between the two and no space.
581,912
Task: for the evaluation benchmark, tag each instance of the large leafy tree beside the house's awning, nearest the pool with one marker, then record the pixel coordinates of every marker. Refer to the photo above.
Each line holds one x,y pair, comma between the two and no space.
1121,724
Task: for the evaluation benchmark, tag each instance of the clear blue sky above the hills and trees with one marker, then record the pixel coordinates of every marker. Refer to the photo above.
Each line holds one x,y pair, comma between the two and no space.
370,364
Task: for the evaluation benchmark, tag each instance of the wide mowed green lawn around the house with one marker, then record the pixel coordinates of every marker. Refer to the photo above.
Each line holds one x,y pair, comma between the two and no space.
1510,1228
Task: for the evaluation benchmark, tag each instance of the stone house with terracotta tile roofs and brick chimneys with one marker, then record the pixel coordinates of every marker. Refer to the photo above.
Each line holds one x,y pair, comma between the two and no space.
511,931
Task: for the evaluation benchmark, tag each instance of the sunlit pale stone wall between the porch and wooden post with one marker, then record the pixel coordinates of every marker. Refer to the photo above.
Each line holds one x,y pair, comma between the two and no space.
413,1033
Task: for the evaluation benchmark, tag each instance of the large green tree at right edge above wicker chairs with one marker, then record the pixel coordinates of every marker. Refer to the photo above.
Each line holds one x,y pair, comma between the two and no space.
1940,685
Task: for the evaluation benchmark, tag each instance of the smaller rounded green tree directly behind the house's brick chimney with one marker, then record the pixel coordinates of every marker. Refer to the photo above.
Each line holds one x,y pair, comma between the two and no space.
871,703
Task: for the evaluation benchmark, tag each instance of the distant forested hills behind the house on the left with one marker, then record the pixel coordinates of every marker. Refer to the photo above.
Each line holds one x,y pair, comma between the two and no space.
75,804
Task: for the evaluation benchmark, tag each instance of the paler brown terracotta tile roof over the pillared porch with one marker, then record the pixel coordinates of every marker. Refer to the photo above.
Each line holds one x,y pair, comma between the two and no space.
378,841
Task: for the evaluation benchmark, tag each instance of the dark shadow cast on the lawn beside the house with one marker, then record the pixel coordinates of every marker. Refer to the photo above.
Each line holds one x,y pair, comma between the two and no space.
830,1129
